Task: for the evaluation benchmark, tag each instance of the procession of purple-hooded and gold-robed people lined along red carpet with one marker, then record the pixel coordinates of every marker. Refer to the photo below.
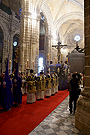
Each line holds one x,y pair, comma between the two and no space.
13,86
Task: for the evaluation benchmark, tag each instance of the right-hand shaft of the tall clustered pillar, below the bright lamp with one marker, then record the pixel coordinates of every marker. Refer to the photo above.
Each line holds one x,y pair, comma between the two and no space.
35,42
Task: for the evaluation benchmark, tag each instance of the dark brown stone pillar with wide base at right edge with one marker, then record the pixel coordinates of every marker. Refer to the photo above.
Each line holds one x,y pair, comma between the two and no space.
82,114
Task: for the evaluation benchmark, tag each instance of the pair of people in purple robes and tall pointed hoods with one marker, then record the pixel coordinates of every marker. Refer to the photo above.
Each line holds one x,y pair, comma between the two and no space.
10,89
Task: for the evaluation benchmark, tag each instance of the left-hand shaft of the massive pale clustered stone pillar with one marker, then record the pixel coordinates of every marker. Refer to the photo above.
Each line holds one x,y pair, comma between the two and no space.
25,34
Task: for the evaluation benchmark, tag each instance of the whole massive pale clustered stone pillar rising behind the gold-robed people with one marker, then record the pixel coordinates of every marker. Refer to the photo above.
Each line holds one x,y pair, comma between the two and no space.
29,36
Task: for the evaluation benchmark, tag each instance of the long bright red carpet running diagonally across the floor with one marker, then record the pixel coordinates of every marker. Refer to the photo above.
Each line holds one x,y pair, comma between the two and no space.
22,120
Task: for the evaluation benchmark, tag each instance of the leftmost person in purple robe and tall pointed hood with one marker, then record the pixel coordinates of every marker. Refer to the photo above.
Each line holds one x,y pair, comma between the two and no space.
6,86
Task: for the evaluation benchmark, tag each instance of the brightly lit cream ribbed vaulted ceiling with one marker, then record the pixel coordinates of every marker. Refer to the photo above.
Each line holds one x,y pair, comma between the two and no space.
65,15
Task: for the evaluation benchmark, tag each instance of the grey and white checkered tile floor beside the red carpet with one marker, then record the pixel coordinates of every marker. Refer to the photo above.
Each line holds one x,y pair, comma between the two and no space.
59,122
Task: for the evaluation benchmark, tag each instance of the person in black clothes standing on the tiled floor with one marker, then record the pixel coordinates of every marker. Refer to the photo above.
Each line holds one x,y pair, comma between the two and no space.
73,92
